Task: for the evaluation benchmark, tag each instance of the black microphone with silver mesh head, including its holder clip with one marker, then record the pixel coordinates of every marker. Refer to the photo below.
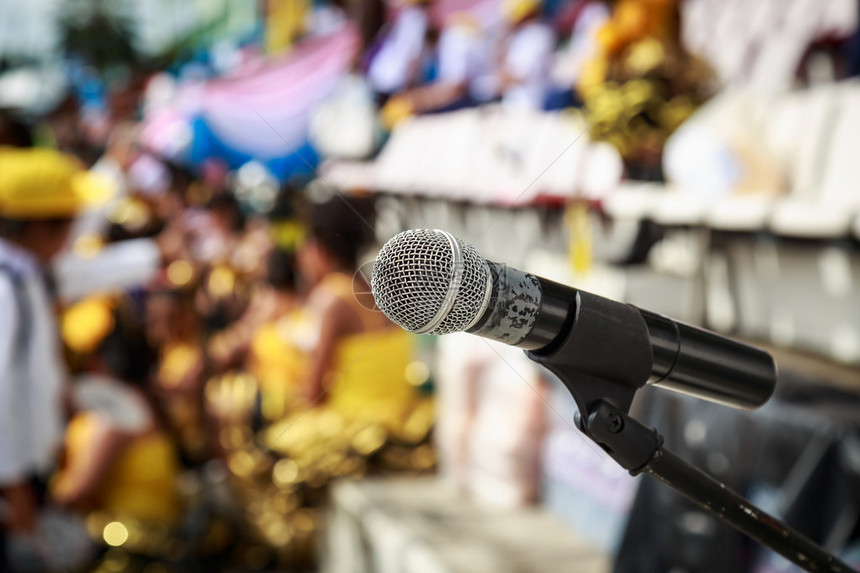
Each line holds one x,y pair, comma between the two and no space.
430,282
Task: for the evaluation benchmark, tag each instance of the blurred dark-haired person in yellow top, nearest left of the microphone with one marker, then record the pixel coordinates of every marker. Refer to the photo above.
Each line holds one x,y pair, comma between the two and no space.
357,365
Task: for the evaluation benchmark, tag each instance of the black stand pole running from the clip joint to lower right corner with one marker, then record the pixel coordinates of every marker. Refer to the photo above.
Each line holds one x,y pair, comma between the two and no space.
640,449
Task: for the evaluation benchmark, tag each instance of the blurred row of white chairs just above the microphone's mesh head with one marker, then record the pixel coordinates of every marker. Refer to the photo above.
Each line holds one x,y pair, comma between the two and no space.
488,155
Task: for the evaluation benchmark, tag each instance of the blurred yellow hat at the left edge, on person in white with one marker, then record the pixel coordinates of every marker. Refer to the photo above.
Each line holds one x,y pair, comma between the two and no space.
46,184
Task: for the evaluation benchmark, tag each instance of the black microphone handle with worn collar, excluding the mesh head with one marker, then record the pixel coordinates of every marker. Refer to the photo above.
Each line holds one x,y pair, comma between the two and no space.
569,330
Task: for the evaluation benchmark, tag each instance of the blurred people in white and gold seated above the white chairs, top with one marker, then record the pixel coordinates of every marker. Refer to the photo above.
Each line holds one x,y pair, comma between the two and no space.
621,63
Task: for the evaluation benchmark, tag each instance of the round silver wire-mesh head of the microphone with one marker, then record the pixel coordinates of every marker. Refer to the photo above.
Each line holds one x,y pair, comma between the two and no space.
430,282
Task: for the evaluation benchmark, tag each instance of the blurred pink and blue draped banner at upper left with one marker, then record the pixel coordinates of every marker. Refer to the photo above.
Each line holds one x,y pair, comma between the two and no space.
261,112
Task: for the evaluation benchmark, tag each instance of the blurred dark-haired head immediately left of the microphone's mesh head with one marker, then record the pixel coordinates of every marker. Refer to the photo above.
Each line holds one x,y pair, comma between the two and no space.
340,229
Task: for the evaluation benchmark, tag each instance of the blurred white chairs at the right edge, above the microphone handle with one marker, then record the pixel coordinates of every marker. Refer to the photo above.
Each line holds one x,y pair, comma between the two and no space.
804,144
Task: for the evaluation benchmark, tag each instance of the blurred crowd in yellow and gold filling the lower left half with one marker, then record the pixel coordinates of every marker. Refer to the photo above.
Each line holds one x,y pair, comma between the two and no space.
217,366
